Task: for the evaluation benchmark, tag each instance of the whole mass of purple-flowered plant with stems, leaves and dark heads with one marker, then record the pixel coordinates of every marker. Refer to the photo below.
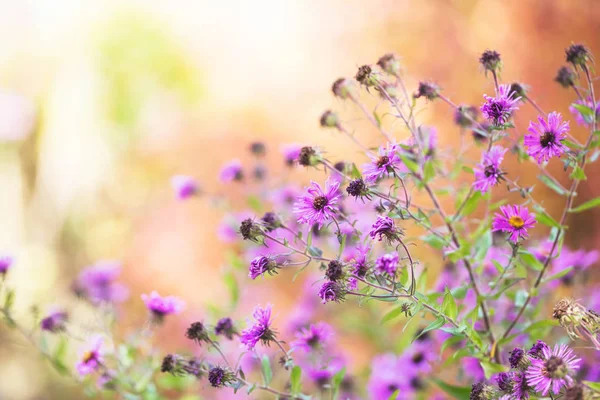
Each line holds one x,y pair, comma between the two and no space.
353,234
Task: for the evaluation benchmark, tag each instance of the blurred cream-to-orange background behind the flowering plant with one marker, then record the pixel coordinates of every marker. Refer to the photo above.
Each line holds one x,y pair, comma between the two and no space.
102,102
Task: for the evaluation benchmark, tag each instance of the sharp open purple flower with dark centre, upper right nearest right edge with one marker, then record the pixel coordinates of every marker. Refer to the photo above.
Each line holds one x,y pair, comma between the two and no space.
545,139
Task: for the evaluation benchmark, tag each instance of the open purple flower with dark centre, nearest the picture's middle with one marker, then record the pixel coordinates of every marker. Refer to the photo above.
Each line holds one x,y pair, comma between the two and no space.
317,206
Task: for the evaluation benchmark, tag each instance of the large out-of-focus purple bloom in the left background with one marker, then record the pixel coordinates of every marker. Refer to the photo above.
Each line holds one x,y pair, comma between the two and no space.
98,283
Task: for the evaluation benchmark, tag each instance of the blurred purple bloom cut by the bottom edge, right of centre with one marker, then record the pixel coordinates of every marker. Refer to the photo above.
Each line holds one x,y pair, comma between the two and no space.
388,374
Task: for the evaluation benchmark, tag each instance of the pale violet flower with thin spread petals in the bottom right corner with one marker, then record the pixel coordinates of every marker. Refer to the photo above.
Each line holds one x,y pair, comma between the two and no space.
554,370
